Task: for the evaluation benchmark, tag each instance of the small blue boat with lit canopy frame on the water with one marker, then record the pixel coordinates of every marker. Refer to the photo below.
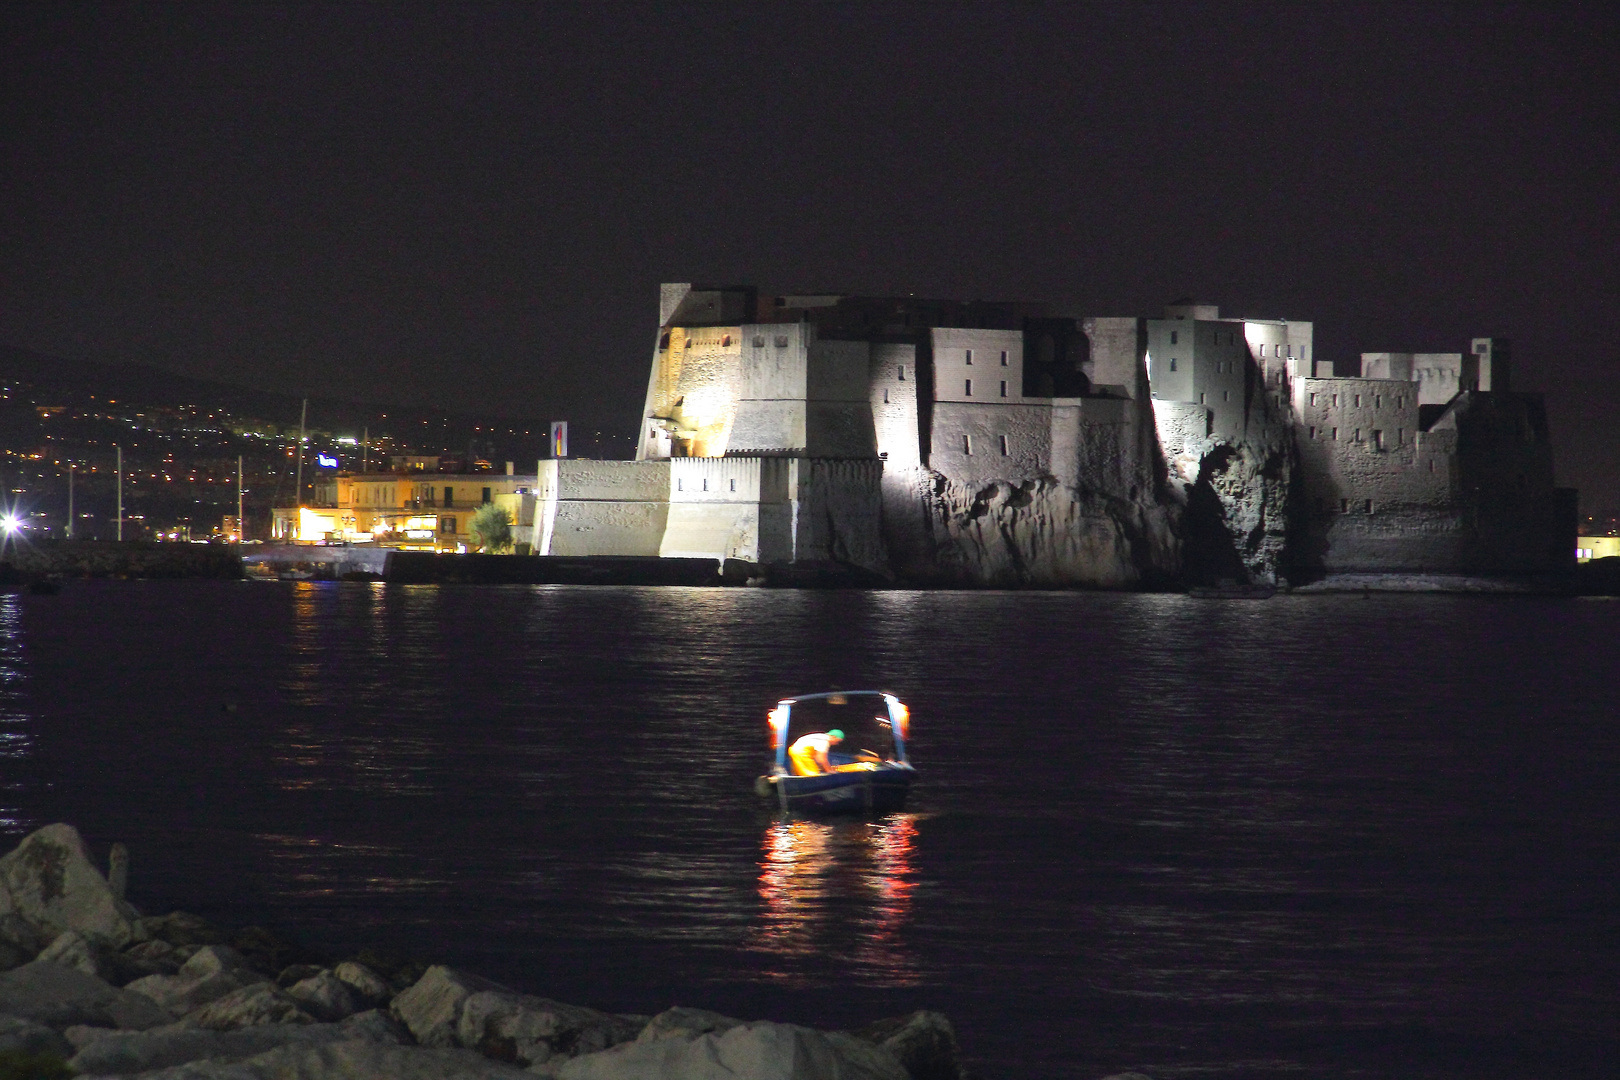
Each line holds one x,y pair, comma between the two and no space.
871,772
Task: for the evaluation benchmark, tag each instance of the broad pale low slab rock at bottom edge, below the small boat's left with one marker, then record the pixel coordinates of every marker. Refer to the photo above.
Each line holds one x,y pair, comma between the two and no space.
759,1052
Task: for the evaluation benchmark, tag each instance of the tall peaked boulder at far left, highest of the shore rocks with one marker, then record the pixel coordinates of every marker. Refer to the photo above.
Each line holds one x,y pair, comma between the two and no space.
49,882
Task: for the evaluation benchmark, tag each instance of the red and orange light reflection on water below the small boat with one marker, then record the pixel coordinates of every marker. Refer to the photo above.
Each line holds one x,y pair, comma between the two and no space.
838,891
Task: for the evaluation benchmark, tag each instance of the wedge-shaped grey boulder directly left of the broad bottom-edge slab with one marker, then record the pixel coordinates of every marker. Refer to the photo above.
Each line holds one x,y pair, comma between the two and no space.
532,1031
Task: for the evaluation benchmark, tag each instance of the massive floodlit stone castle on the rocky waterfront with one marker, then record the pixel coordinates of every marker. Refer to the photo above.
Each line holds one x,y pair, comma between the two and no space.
1000,444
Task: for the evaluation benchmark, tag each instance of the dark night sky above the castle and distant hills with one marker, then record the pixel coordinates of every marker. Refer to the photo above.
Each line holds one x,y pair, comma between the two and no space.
474,206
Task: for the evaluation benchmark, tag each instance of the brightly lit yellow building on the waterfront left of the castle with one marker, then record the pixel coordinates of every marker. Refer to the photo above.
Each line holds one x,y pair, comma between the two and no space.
409,511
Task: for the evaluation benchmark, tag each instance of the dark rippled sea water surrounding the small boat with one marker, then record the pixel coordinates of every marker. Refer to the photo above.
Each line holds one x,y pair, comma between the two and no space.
1308,836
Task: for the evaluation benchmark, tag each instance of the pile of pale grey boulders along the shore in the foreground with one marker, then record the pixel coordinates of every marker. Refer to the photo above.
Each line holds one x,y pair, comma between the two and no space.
90,987
